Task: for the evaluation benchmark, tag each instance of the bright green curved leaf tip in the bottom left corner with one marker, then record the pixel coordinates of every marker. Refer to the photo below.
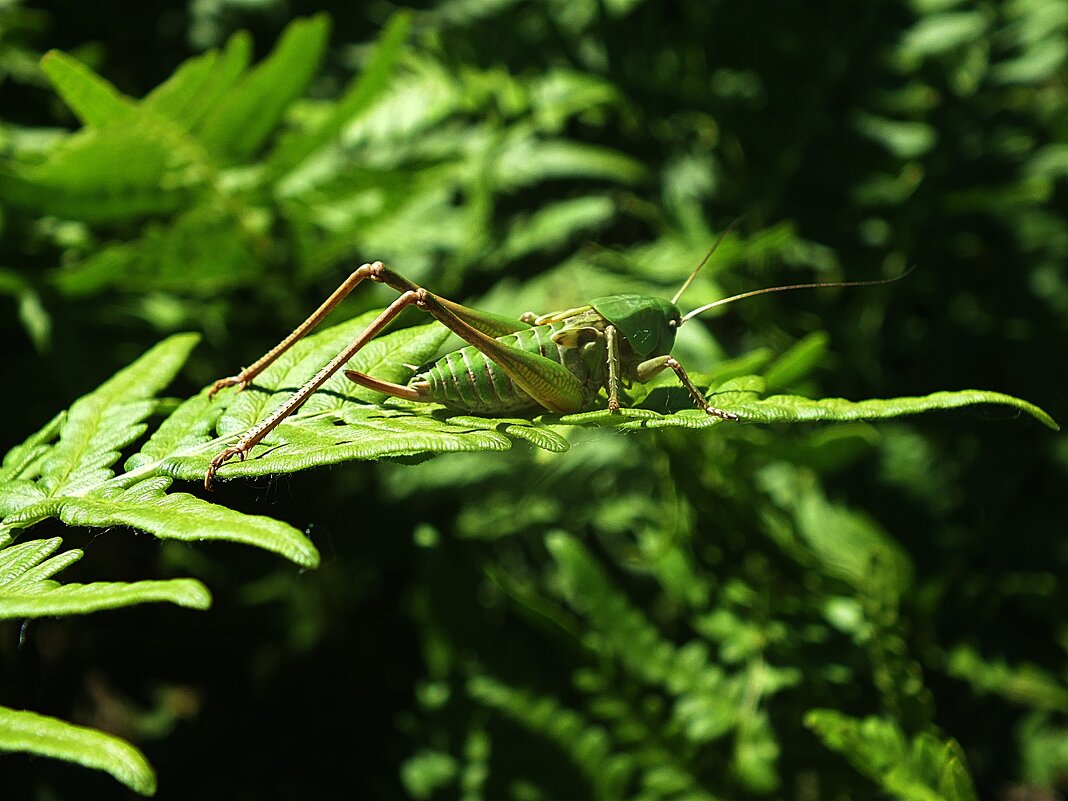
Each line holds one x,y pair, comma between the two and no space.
38,734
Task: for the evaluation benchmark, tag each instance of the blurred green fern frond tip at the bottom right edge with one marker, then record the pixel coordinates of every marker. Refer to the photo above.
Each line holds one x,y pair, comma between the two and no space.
923,768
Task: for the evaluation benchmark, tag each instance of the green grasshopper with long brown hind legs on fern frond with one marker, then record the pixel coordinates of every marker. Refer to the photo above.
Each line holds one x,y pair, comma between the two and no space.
558,363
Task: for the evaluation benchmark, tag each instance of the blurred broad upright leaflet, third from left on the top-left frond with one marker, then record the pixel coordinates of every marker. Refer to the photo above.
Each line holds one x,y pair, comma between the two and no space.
248,114
